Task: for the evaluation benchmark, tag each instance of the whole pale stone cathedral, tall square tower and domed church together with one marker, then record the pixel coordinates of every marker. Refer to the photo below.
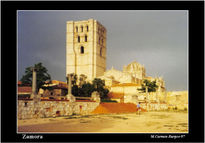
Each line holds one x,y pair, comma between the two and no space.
86,54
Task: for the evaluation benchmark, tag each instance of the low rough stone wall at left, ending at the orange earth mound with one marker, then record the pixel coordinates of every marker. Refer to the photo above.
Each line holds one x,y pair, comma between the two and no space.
47,108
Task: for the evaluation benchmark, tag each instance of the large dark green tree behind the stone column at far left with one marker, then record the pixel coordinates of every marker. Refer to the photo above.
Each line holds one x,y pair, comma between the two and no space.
41,73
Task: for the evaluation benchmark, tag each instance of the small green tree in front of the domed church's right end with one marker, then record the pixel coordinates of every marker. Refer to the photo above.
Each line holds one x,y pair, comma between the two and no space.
152,86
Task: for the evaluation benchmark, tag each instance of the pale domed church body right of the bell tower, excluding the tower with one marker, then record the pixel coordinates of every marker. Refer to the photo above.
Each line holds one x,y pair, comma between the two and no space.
125,85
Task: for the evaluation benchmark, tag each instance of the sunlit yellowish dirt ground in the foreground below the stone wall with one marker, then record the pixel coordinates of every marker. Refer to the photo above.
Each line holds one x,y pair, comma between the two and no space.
146,122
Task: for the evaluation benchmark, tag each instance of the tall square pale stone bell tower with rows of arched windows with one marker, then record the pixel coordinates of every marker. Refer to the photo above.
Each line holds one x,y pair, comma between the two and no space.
85,48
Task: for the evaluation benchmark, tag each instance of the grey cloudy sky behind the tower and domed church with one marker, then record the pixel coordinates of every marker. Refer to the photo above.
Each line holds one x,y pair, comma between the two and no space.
155,38
